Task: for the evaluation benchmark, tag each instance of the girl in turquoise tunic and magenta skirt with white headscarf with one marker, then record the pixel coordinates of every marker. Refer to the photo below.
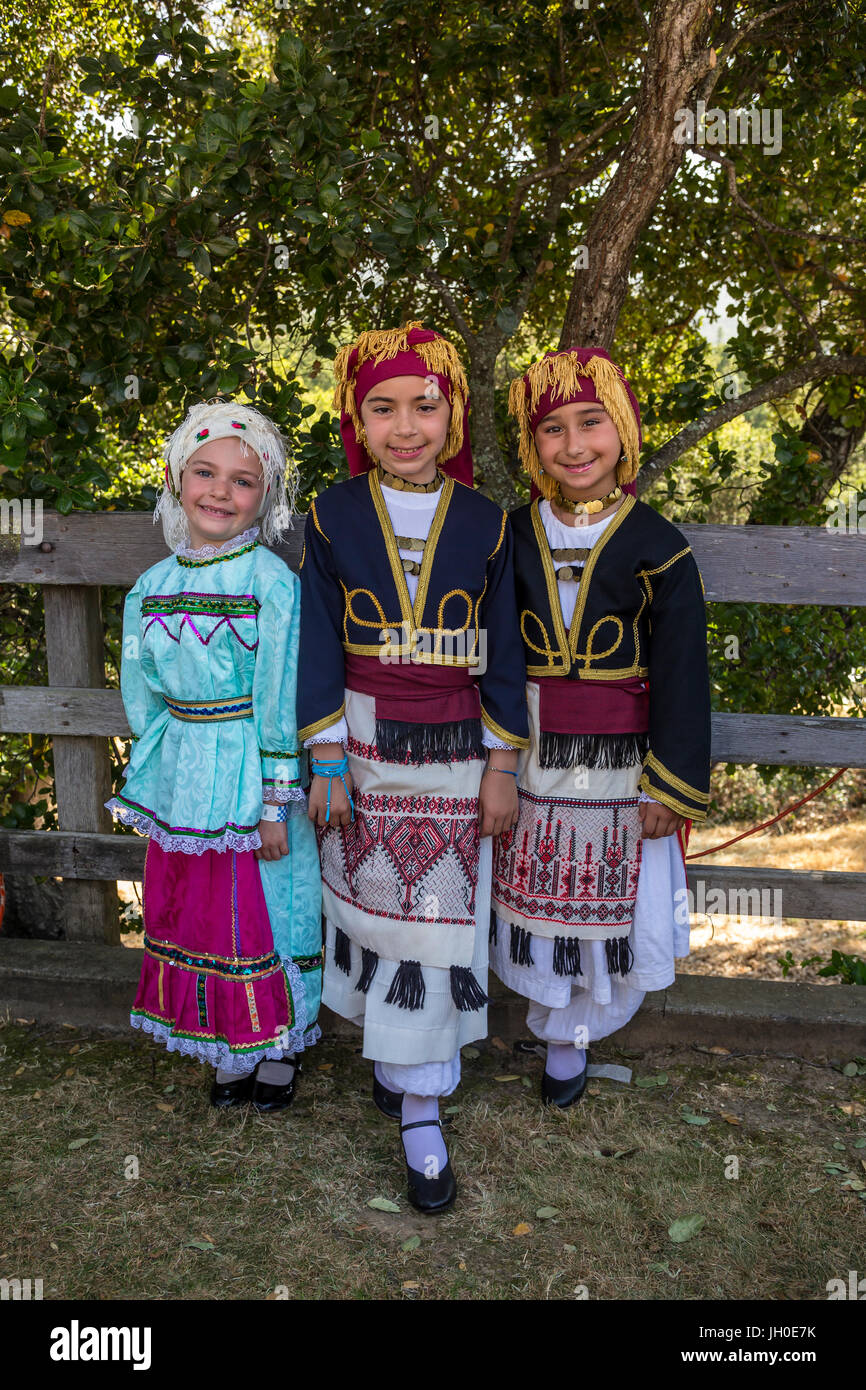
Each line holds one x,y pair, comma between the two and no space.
233,892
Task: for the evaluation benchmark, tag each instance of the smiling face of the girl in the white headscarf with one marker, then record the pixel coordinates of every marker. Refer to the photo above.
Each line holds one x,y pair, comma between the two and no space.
222,491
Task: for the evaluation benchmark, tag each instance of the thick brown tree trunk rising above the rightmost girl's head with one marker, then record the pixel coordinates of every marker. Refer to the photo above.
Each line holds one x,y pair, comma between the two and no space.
676,60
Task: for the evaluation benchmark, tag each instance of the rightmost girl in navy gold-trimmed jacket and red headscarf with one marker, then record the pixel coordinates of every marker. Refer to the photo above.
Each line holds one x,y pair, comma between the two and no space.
614,626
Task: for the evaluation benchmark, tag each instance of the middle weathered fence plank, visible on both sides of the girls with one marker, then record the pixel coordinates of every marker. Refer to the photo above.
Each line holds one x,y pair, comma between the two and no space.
737,739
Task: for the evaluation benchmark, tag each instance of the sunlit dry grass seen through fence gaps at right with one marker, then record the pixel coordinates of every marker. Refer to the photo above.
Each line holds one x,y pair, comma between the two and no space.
733,947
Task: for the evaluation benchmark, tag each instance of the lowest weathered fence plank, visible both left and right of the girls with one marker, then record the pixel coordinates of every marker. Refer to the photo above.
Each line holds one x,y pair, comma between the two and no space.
824,896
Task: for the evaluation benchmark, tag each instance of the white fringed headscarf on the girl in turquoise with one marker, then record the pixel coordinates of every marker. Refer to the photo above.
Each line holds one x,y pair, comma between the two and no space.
224,420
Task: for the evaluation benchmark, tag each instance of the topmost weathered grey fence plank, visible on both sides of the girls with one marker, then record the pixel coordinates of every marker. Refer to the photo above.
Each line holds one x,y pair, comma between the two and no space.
739,564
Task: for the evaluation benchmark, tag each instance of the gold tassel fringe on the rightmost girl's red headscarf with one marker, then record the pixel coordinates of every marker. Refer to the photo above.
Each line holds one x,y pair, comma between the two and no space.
562,375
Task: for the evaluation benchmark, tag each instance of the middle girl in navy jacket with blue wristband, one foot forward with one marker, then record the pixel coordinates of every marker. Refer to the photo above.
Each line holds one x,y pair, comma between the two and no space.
412,696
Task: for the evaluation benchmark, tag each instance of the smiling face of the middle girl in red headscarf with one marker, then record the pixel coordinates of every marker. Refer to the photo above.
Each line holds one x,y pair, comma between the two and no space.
407,426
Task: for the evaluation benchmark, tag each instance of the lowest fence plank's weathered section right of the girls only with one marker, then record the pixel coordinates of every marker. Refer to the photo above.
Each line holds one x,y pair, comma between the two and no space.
754,892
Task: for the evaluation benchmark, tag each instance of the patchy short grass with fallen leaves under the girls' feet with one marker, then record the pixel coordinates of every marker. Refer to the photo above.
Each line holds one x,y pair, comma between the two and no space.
237,1206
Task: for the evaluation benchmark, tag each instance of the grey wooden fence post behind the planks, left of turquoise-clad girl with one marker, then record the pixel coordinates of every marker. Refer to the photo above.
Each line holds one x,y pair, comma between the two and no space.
83,767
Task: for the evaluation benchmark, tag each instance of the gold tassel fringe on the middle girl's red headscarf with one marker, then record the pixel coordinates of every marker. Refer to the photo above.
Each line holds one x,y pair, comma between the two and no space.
384,344
